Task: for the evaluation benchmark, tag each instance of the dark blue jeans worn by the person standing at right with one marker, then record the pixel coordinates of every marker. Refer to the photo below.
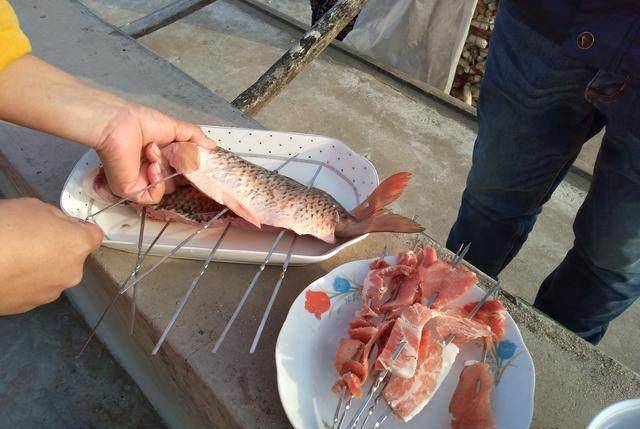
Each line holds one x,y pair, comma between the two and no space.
536,109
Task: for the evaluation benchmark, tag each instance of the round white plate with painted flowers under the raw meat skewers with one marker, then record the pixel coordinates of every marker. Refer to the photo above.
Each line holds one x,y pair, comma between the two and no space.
306,347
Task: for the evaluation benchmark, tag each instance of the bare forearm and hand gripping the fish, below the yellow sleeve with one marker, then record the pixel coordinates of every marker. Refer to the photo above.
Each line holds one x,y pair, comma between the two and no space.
126,135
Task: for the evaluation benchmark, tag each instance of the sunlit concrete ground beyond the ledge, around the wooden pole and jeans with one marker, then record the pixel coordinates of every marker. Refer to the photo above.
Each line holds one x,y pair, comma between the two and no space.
228,45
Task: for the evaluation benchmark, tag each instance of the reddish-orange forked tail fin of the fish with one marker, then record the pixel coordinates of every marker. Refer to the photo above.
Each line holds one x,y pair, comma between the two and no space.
371,215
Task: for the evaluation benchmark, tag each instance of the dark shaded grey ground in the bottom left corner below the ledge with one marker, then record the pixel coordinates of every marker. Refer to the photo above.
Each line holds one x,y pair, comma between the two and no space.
43,385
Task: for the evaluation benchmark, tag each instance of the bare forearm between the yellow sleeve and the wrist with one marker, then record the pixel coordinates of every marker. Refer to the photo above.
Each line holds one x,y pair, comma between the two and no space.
39,96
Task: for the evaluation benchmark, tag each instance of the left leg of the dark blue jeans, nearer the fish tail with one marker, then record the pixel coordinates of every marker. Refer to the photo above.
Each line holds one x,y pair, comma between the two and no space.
533,119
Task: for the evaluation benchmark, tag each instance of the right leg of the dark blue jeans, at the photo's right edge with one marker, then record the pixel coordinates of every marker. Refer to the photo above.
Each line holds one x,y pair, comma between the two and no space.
600,276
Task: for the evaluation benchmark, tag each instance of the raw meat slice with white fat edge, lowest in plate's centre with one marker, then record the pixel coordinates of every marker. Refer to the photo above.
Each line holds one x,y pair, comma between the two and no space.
407,397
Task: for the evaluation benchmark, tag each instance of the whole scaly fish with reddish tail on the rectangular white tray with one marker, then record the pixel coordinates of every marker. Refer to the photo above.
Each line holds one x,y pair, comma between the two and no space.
259,198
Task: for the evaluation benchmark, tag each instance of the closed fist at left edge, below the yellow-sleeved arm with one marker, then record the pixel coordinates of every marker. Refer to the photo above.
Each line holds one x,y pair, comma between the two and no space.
42,253
